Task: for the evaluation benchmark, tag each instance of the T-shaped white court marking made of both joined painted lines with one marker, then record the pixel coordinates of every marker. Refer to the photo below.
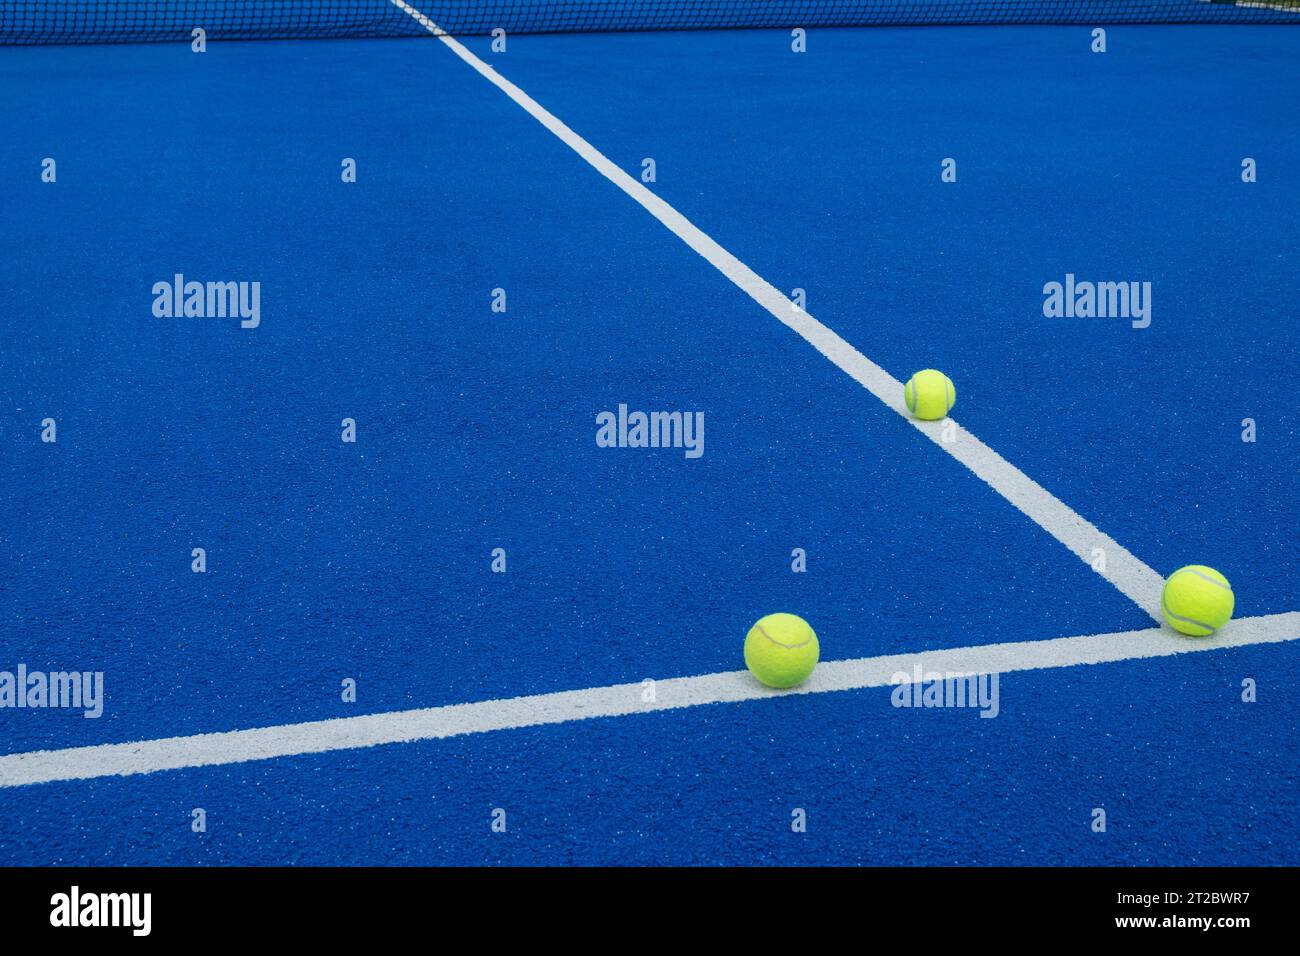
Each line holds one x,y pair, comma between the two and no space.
1126,573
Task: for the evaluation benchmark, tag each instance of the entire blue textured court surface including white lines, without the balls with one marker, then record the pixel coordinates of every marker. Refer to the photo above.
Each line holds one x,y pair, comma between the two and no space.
356,577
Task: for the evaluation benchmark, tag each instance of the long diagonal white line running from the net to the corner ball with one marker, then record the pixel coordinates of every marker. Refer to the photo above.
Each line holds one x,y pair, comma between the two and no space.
1138,582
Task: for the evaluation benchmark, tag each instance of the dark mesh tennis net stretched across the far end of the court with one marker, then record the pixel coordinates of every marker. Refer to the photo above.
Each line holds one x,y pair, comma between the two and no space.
107,21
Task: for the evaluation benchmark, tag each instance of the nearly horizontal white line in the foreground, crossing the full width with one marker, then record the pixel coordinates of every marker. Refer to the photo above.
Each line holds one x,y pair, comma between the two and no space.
618,700
